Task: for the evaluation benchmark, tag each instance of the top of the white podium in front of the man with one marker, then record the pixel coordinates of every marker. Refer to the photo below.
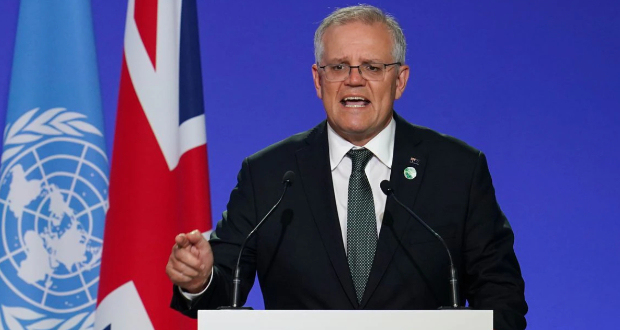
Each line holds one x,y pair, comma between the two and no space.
349,319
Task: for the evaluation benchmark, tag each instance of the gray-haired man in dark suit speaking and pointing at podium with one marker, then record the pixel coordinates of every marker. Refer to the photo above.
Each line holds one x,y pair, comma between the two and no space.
336,241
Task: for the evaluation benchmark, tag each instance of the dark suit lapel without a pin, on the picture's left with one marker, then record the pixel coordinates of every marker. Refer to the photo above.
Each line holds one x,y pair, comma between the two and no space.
313,162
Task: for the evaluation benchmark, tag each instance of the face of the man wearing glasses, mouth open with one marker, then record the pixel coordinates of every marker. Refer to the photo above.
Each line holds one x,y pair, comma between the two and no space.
354,44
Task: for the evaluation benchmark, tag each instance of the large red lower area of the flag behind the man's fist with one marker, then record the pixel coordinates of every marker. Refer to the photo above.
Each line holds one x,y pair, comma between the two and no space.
149,206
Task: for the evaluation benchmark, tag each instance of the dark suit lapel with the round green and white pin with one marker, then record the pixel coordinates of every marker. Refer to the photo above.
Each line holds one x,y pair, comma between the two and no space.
396,221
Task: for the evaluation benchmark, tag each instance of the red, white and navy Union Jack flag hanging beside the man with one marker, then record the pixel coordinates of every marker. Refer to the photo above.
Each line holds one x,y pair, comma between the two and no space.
159,180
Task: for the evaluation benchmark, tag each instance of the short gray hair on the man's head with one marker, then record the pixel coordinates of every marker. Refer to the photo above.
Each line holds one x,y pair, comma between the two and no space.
366,14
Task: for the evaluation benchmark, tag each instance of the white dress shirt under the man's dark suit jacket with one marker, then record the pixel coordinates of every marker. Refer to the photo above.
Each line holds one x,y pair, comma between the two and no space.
378,169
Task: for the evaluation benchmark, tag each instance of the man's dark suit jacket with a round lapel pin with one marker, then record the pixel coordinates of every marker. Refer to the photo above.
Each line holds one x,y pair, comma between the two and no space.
299,253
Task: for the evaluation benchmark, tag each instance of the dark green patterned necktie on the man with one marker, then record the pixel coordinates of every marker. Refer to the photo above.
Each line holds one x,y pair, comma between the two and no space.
361,221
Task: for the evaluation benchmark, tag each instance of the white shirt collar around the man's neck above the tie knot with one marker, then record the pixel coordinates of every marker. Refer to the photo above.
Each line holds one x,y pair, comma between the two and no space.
382,145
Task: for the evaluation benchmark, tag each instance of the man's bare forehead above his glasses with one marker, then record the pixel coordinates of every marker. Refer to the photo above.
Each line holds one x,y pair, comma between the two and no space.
357,41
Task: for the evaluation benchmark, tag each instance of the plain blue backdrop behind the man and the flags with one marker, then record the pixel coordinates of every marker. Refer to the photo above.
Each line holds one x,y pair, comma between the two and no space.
534,84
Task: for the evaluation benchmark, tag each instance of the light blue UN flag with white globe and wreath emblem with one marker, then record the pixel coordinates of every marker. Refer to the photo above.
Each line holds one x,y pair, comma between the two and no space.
54,172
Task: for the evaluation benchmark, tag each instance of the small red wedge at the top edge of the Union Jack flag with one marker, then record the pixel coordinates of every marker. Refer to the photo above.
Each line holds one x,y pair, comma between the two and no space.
145,16
